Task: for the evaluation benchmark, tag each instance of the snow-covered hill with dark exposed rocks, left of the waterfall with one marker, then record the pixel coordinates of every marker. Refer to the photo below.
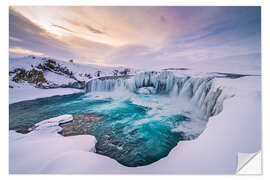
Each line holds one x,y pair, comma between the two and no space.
45,73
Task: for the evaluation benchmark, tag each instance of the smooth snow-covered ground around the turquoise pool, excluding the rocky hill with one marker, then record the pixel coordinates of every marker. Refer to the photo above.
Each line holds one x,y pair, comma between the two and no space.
236,129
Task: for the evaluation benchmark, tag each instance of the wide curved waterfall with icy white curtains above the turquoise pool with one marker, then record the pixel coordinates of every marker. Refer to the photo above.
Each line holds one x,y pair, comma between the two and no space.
201,91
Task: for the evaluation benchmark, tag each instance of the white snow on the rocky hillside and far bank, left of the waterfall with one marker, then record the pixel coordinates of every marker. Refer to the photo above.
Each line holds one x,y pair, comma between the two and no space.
24,91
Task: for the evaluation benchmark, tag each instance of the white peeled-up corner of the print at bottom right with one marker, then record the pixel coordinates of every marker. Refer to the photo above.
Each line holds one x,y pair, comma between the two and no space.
249,163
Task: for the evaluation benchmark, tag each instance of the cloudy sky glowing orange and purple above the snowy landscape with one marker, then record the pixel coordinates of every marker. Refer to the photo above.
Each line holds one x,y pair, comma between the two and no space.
136,37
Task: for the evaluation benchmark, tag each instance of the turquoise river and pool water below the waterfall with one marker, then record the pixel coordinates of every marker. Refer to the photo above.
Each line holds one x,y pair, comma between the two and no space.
135,130
